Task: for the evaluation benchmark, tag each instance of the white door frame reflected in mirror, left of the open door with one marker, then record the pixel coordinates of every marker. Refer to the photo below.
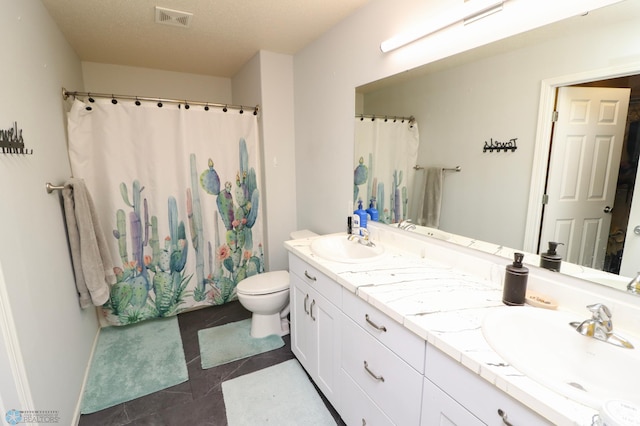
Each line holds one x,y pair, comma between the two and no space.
544,130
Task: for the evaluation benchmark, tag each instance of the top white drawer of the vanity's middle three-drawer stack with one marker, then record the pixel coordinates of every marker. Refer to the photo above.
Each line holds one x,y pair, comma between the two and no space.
384,329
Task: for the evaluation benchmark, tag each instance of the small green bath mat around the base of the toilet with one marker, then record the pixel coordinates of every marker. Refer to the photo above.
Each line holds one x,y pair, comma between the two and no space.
233,341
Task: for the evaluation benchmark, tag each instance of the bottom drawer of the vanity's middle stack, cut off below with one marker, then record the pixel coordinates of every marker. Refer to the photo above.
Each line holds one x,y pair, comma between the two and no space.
358,409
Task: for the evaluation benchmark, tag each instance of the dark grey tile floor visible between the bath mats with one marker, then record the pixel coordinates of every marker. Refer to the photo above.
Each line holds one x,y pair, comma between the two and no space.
198,401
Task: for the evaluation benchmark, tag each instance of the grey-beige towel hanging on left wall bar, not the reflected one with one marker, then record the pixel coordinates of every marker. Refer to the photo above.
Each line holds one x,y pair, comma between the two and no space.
89,252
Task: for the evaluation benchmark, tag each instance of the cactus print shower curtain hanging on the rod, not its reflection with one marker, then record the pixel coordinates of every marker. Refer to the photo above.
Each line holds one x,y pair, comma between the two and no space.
177,193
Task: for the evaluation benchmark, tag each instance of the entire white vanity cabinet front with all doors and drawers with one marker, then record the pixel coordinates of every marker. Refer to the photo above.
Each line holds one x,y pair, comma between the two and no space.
375,372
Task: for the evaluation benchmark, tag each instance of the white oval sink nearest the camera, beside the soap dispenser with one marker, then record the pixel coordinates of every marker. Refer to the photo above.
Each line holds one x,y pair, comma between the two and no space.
543,346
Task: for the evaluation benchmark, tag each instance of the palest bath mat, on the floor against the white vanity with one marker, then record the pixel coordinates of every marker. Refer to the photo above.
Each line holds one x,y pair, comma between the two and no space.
280,395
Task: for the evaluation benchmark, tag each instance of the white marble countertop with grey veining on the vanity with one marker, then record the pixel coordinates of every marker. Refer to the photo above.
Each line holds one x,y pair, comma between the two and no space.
445,306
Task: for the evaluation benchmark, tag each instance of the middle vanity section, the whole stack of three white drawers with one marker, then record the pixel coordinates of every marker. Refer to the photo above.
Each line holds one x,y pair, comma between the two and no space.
377,358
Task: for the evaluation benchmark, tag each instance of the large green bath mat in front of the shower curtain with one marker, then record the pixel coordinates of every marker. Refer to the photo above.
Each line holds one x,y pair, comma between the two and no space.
133,361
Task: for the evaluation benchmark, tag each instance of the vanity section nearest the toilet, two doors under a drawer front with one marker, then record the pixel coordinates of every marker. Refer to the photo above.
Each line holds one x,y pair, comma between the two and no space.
315,326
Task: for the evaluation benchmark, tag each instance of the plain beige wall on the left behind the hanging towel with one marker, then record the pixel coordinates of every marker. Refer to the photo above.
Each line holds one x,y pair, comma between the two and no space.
47,335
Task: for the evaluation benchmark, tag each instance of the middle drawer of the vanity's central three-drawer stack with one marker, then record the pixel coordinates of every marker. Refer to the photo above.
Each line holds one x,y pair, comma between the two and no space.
391,383
